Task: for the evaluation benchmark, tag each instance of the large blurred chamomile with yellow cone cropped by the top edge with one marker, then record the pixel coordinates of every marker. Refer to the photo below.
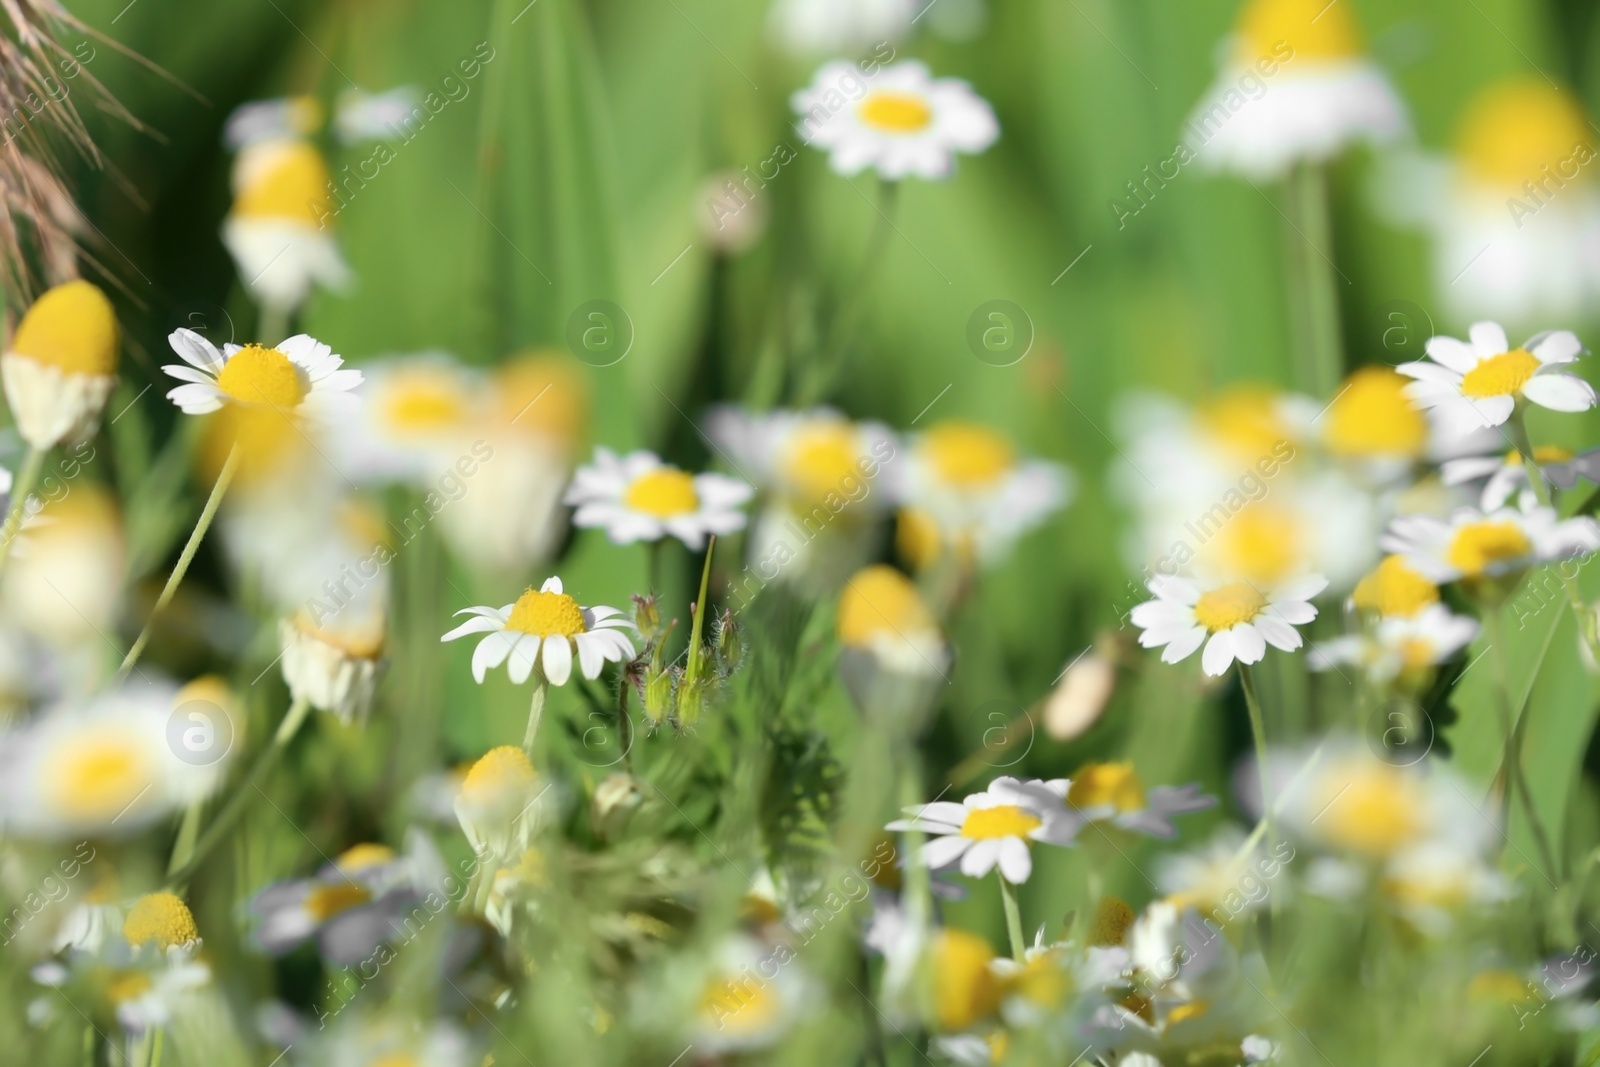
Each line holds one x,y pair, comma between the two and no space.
1295,87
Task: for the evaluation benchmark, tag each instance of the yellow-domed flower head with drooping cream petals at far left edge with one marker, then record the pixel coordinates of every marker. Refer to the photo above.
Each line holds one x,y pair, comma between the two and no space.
62,366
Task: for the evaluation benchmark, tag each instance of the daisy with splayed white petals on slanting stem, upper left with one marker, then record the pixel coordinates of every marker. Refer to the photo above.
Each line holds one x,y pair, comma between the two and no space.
298,375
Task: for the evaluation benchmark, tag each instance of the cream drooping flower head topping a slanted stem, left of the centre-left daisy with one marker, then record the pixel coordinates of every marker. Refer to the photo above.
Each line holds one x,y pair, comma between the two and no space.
334,665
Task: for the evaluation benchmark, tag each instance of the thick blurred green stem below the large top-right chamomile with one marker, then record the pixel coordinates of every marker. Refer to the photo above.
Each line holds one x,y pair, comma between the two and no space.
1322,348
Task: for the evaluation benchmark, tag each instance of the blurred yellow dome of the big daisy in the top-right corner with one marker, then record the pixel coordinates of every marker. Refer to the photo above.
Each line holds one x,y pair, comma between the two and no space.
1518,129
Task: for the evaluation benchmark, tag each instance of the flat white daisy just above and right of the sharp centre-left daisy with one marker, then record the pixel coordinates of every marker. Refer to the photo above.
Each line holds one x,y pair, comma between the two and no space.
639,498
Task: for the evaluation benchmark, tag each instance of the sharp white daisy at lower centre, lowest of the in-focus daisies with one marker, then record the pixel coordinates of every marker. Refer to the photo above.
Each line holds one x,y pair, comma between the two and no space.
993,828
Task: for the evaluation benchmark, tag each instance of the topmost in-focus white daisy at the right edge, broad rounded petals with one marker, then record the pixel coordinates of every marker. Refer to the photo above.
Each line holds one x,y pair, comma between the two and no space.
1478,383
